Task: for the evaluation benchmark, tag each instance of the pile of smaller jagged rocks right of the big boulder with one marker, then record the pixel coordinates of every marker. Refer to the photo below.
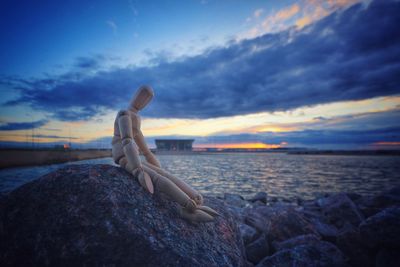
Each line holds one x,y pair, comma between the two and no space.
337,229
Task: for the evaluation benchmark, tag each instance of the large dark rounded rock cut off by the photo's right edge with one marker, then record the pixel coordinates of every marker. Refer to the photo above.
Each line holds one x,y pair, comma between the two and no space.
382,229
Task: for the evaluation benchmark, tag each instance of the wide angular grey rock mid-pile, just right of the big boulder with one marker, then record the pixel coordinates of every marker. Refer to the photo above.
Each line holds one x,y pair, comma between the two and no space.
279,223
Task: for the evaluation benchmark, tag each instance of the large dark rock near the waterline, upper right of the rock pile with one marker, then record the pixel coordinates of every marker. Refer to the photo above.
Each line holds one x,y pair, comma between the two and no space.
339,209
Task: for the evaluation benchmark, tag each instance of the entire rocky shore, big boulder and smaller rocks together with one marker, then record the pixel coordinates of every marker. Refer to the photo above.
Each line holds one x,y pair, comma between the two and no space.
99,215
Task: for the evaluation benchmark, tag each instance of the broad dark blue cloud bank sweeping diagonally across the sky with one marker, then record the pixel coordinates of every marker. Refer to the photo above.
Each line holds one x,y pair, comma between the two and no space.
349,55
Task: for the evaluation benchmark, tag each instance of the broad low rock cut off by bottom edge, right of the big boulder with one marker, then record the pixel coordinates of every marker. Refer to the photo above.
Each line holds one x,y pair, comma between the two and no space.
316,254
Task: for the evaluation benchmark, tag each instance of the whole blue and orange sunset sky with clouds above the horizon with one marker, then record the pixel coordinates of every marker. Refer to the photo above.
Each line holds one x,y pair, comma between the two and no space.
259,74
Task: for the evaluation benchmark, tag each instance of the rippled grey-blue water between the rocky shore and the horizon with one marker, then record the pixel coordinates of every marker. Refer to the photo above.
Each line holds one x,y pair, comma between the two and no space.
280,175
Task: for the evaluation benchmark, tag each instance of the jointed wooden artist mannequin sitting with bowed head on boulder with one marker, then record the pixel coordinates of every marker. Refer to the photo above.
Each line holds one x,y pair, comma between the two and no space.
128,138
